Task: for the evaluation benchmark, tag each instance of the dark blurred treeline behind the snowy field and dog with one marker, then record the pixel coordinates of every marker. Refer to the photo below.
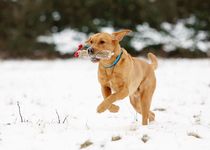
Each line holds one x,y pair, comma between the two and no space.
22,21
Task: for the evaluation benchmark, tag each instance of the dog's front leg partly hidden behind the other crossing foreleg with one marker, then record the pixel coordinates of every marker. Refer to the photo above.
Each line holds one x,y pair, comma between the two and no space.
106,91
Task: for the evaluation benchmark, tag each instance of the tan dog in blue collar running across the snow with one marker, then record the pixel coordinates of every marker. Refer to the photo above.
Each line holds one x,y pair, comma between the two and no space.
128,76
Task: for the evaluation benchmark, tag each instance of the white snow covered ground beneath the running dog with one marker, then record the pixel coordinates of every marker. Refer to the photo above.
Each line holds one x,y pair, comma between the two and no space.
70,88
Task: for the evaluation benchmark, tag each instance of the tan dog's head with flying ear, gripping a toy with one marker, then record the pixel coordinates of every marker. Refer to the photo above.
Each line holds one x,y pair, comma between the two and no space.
104,41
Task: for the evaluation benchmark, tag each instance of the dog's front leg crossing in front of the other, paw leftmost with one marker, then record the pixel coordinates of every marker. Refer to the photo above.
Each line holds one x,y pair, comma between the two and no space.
106,104
